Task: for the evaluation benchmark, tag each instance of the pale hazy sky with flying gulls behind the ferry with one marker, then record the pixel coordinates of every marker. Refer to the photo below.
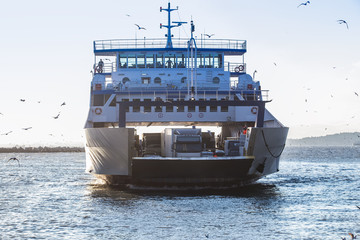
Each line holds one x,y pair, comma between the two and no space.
46,55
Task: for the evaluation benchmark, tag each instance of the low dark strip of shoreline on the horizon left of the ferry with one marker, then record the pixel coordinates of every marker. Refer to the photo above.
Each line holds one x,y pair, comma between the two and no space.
40,149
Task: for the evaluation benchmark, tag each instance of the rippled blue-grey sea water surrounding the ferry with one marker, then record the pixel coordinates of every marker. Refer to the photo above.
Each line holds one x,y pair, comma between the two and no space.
314,196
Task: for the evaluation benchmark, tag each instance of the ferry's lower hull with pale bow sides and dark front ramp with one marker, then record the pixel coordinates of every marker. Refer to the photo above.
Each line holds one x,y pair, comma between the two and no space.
110,156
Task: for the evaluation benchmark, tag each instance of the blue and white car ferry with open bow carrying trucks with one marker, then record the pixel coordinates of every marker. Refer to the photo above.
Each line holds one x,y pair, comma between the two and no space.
179,112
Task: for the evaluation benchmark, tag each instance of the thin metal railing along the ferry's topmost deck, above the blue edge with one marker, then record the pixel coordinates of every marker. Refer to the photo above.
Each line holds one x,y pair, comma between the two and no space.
161,43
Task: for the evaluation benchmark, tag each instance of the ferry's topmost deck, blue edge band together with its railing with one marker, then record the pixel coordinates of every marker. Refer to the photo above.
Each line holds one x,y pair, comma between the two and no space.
111,47
